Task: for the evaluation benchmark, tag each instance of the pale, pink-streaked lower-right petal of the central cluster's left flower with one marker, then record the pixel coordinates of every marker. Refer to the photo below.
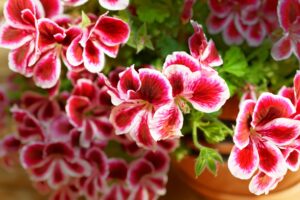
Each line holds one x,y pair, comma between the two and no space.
166,123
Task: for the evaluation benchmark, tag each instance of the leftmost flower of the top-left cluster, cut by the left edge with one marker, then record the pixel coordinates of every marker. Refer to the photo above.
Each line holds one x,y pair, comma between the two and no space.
20,31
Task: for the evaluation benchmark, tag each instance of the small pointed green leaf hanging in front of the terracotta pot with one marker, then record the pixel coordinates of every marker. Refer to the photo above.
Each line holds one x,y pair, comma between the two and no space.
207,158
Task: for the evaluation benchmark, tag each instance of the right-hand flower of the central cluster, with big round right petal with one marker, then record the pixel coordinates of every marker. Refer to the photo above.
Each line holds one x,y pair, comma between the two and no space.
203,88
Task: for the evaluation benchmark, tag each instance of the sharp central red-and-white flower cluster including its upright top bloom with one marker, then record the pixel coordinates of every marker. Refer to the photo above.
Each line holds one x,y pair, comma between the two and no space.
149,104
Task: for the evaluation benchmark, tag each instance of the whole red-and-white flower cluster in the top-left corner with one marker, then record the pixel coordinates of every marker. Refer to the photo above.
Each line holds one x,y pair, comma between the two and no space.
38,36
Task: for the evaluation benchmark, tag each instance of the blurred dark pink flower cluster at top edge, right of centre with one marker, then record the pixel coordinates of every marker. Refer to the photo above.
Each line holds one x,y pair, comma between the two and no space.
239,20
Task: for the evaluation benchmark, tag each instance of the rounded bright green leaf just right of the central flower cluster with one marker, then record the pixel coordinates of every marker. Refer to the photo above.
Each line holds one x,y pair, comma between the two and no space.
235,62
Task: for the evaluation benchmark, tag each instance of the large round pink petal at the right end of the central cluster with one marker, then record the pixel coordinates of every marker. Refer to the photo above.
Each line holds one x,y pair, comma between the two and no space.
207,93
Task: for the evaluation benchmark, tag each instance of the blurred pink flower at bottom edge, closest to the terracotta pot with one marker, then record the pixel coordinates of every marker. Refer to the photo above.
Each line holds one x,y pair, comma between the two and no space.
147,177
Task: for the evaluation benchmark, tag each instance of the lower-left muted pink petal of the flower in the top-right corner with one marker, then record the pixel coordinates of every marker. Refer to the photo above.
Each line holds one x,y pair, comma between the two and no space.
282,49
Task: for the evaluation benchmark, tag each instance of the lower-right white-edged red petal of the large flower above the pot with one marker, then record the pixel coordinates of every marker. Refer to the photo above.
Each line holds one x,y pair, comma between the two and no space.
271,160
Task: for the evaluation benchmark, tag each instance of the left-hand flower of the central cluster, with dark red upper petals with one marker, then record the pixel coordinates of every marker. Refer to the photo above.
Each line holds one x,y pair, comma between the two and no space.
144,99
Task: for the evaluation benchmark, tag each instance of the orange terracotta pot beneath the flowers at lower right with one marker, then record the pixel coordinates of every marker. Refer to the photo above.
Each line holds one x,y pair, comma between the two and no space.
226,187
